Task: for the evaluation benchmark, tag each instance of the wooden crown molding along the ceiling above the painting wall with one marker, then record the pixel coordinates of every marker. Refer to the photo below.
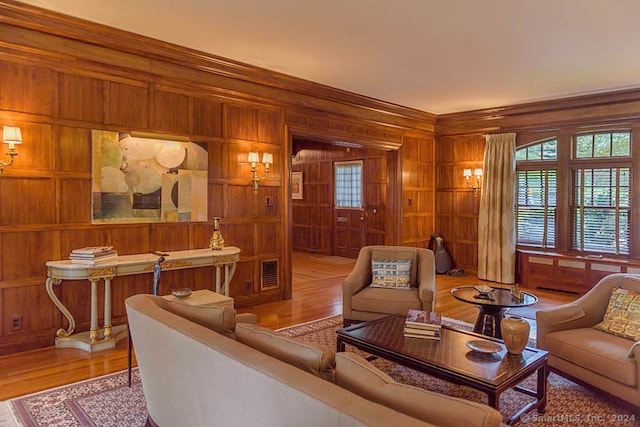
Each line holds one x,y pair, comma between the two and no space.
56,24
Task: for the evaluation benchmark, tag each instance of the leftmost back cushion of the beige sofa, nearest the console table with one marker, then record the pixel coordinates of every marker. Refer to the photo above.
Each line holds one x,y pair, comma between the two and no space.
219,319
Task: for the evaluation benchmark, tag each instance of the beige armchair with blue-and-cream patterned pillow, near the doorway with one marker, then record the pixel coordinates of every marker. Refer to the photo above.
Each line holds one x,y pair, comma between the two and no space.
363,302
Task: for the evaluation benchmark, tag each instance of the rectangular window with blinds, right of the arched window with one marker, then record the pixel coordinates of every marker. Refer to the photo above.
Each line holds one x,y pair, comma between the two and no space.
601,196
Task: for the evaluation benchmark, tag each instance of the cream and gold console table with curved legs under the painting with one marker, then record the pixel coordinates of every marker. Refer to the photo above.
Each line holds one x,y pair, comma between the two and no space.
126,265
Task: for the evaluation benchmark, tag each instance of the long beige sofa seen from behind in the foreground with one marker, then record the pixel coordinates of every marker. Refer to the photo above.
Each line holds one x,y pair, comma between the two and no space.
192,375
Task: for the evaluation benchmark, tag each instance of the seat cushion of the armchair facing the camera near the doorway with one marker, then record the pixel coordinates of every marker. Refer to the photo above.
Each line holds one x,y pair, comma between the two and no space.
390,301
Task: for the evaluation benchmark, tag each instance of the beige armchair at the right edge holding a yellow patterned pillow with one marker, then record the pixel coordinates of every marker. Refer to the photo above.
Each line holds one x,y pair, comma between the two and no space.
587,355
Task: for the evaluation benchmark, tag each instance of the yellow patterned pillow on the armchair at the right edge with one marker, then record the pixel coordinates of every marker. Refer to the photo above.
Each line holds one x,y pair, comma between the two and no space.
622,317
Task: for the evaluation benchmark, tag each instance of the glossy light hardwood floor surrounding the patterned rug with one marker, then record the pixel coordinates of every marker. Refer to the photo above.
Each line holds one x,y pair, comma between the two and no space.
317,293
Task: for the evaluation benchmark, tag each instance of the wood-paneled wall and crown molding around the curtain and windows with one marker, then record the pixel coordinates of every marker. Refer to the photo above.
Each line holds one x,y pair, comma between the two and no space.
460,144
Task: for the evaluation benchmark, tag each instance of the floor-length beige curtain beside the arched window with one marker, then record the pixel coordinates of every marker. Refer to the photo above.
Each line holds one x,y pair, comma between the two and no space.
496,224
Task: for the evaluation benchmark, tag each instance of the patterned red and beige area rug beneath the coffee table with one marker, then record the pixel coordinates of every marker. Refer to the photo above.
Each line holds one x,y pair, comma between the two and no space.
107,401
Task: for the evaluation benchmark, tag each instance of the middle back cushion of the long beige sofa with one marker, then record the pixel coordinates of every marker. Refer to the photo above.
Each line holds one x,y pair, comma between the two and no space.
317,359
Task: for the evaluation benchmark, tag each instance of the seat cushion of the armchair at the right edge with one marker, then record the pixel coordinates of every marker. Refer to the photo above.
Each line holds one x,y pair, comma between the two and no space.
600,352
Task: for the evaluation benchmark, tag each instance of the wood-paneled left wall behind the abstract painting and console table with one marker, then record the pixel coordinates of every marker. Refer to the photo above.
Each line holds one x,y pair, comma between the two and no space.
61,77
